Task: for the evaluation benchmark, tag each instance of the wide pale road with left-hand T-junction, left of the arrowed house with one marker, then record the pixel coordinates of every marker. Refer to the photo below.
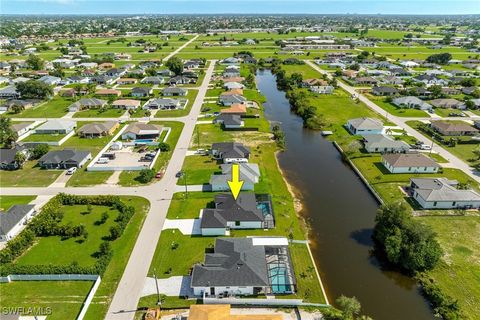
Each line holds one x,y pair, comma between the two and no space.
159,194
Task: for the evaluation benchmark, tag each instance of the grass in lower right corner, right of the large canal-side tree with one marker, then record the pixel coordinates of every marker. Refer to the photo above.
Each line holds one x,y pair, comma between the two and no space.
458,274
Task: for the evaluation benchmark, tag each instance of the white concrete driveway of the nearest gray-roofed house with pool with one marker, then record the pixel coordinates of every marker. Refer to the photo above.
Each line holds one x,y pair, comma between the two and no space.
173,287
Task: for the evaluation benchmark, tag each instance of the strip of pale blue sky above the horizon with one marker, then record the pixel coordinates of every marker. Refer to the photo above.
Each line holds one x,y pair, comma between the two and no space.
239,6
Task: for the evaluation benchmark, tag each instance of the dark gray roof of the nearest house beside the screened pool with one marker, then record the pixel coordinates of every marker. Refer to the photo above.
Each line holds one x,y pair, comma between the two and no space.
235,262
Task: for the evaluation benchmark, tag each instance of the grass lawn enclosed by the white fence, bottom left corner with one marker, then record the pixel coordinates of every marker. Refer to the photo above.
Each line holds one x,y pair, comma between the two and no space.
64,298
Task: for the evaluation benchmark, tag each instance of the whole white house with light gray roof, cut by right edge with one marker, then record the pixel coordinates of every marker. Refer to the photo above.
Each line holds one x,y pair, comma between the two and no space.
441,193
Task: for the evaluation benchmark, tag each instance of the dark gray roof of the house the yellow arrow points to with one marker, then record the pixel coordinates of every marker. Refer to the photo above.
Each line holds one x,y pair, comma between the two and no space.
229,209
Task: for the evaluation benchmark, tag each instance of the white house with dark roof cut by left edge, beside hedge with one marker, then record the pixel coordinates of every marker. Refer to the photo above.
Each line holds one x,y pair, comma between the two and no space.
14,219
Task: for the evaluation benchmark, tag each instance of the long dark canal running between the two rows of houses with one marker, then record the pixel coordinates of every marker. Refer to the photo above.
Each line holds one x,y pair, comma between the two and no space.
340,211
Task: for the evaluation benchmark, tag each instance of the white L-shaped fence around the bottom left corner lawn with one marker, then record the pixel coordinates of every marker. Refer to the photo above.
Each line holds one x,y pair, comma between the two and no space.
61,277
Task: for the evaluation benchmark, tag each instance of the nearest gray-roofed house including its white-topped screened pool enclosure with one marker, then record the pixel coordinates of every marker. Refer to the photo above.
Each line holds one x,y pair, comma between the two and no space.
245,266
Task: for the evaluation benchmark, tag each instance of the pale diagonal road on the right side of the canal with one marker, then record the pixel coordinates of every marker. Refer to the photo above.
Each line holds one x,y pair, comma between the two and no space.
454,162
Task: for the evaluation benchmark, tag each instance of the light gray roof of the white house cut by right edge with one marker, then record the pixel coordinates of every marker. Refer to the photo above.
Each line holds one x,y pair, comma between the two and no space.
442,189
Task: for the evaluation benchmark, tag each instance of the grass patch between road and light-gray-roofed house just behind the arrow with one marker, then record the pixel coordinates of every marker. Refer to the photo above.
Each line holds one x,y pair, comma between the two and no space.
198,169
